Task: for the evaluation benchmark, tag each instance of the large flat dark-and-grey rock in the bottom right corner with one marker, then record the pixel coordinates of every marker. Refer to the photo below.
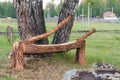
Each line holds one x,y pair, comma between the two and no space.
96,75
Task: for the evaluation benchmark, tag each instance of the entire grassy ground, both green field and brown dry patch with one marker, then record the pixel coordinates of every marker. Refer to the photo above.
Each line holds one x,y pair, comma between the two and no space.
100,47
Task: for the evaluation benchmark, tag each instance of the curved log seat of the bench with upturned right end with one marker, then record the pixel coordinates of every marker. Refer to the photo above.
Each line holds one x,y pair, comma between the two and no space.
33,48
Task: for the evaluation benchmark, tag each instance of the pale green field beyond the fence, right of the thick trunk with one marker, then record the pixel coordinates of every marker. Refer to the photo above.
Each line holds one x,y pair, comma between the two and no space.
84,26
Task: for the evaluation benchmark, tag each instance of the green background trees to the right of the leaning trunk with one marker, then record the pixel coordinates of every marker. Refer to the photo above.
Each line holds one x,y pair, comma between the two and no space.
98,7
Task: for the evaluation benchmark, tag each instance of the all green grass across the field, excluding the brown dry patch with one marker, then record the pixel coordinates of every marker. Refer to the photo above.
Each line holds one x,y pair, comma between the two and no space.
100,46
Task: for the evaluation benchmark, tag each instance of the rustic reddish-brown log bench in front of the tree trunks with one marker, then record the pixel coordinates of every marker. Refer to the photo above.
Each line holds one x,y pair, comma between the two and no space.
28,47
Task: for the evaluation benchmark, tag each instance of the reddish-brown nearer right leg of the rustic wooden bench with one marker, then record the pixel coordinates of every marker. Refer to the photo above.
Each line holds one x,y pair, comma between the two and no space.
82,59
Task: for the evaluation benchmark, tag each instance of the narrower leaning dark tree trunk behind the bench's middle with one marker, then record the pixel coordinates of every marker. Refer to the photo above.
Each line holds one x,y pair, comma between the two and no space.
62,35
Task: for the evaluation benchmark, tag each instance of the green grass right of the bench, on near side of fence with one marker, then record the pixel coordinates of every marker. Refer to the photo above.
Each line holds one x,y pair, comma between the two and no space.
102,47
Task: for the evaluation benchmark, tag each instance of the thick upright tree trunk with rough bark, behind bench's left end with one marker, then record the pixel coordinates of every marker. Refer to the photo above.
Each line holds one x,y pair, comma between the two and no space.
30,18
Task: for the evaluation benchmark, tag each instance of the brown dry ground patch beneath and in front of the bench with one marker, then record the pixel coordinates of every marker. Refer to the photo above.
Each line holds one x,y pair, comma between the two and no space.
52,68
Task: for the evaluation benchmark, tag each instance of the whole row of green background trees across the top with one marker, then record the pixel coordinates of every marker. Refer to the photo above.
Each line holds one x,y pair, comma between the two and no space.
98,7
